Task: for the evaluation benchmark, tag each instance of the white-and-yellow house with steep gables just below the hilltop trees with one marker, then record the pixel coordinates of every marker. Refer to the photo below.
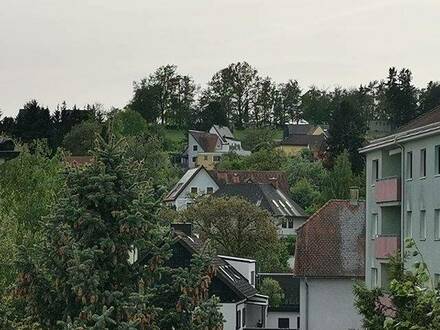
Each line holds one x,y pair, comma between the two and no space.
207,148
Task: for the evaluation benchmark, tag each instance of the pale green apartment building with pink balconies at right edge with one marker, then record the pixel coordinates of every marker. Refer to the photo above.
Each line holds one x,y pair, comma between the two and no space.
403,196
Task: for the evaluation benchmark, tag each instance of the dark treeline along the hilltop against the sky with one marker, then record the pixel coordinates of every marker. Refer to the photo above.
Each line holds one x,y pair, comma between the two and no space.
237,96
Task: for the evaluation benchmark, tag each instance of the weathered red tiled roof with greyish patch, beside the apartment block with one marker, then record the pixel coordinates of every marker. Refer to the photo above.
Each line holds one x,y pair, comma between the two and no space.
332,242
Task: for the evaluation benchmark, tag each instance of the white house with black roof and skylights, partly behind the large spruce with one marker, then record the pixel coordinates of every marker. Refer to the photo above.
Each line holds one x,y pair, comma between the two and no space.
234,282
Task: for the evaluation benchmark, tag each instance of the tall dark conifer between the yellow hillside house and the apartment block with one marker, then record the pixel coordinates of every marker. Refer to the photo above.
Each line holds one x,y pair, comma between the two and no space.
346,132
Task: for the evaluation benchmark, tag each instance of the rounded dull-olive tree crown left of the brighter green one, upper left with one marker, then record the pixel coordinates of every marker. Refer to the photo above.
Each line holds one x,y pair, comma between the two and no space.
79,141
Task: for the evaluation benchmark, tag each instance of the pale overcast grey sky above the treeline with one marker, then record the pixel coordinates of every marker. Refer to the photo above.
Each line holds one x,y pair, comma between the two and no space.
86,51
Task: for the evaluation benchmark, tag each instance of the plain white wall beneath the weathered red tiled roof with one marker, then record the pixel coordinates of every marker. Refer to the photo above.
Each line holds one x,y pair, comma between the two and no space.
330,305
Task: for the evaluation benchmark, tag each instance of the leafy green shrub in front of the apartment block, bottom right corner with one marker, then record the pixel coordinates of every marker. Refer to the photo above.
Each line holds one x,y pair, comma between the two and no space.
413,301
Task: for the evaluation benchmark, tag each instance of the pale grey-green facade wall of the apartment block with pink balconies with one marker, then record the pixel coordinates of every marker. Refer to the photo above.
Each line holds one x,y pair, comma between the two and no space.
420,194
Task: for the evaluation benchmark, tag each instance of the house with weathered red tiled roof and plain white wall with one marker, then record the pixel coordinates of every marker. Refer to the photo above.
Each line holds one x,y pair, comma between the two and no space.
329,259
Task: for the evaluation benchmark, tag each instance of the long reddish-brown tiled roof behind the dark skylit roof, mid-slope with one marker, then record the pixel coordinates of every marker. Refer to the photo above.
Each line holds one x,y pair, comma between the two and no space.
277,178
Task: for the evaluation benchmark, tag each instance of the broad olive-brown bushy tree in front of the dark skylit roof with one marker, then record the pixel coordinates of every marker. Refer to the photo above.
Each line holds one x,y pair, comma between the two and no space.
236,227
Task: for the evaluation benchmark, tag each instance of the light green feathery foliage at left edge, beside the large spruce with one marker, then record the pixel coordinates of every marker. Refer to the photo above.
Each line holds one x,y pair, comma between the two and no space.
29,185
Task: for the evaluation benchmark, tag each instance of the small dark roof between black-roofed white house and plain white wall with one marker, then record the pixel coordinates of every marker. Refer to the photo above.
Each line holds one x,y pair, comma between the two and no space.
290,285
